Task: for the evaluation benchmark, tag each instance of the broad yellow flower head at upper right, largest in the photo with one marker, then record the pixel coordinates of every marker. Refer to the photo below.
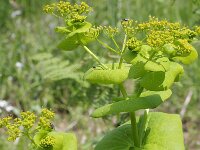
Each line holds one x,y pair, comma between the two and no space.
156,33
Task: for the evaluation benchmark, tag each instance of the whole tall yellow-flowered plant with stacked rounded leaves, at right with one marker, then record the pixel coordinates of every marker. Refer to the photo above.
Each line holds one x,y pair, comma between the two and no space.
152,53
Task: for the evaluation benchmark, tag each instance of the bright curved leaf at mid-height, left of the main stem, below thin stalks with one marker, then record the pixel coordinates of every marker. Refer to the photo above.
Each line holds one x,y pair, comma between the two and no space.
110,76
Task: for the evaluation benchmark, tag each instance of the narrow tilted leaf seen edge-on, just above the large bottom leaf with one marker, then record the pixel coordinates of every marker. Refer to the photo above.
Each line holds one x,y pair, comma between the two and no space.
149,99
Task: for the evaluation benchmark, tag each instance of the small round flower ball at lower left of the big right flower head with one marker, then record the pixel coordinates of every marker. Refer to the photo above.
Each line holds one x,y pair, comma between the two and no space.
133,44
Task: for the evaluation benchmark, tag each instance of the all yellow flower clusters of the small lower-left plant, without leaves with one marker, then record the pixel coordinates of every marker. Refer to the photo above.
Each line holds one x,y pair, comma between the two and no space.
28,124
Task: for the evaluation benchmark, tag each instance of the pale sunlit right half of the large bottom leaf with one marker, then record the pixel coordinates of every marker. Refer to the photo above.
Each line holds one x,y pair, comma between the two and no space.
165,132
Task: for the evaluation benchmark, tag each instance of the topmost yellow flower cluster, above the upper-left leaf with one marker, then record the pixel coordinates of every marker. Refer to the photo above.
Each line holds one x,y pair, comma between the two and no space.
69,12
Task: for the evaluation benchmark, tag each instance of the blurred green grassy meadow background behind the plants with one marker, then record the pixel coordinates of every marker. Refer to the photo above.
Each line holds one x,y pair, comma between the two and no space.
27,37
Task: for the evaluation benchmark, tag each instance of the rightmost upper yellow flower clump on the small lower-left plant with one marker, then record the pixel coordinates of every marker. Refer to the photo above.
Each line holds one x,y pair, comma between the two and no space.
45,119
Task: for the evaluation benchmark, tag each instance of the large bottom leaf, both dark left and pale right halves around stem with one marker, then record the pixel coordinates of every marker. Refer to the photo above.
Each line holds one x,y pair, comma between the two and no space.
164,132
